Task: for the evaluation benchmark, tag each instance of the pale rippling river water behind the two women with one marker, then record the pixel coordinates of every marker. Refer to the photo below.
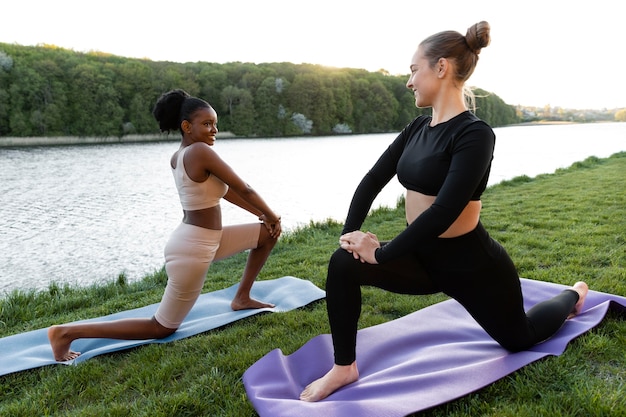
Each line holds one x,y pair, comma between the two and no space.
85,214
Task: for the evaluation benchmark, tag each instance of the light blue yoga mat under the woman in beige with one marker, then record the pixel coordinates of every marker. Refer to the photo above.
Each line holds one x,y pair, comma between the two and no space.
212,310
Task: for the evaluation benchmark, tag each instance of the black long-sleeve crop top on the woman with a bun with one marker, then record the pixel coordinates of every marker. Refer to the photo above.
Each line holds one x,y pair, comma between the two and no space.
451,161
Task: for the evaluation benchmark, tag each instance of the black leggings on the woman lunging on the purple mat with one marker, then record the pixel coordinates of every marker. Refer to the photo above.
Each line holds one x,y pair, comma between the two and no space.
473,269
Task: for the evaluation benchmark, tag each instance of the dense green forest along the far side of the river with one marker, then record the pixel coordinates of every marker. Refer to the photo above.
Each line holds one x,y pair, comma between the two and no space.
49,91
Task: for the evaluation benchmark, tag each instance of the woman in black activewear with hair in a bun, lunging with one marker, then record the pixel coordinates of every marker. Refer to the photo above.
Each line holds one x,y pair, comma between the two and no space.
443,161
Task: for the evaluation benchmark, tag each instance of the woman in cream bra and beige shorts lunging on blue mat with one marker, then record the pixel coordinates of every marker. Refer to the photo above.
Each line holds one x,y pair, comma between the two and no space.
202,179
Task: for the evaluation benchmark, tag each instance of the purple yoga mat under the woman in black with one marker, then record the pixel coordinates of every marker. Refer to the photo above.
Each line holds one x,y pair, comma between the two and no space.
410,364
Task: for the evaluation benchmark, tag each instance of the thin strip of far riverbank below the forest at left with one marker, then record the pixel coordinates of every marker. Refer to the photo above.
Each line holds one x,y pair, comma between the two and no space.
15,142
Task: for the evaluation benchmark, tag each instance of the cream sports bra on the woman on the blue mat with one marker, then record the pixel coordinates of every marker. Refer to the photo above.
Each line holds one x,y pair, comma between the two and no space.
197,195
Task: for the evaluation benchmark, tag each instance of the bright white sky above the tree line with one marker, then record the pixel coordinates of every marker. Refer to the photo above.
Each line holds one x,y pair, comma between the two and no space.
562,53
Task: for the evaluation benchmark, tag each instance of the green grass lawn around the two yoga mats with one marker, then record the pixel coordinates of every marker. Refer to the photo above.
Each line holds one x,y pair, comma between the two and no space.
562,227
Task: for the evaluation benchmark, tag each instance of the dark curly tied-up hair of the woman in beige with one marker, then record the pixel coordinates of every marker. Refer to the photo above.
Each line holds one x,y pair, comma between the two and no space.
175,106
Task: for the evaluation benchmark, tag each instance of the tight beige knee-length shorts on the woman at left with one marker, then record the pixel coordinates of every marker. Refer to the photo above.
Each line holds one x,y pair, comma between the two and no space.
188,255
